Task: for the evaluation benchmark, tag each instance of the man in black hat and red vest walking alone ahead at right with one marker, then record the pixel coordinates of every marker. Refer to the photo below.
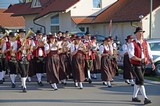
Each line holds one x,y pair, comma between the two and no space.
140,55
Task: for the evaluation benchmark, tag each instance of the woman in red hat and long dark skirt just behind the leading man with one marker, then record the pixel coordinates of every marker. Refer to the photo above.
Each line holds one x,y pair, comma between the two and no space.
127,73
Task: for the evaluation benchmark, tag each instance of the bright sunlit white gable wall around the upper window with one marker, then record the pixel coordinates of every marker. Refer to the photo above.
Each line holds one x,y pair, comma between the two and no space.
85,8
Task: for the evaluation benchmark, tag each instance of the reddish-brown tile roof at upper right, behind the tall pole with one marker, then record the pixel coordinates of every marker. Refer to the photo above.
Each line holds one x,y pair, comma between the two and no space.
126,11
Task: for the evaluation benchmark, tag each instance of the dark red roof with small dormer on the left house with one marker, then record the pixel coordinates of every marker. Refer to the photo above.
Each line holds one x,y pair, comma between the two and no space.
47,7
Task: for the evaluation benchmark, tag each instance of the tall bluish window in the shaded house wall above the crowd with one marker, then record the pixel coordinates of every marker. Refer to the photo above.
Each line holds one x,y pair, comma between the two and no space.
55,24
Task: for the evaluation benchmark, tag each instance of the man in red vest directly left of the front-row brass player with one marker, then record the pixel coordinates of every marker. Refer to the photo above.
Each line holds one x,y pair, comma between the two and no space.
10,57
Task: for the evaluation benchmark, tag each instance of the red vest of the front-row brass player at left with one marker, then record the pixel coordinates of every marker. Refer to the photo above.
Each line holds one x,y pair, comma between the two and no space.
19,53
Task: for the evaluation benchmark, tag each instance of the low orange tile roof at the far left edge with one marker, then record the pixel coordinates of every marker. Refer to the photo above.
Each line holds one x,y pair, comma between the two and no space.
6,20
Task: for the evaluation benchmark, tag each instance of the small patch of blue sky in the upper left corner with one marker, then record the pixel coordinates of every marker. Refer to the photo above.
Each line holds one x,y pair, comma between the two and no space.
6,3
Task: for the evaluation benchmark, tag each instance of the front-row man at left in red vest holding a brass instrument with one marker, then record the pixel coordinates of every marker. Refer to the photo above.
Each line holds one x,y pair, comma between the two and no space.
22,50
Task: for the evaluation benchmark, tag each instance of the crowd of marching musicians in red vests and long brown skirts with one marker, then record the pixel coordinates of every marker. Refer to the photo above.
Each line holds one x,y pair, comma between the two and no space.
60,56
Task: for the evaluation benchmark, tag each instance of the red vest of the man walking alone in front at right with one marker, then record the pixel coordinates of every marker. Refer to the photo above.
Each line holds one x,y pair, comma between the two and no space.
138,52
